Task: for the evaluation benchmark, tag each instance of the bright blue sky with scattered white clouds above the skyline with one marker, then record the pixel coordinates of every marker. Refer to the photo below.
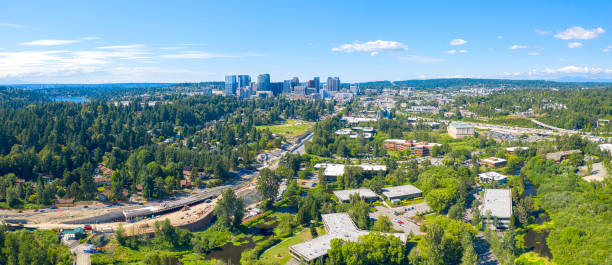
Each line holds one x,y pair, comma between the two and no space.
190,41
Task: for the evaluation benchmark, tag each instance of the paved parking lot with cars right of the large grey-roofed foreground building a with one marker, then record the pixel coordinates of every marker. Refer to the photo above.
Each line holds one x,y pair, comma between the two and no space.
400,216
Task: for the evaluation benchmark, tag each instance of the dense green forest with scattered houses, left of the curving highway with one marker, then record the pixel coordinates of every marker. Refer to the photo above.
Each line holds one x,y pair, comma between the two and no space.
147,146
